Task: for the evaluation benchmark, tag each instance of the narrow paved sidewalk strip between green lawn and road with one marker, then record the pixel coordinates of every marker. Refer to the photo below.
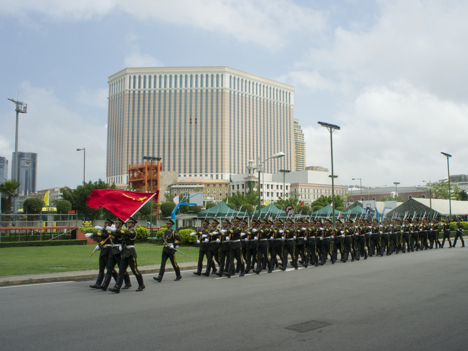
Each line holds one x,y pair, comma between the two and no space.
81,275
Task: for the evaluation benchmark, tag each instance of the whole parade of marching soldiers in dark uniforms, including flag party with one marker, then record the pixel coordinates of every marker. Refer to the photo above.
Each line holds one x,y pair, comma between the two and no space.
239,247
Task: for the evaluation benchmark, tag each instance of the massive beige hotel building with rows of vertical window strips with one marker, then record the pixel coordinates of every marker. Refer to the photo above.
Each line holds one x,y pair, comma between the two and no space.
204,122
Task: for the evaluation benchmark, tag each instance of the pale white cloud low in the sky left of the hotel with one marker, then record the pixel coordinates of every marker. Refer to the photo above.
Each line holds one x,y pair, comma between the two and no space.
54,132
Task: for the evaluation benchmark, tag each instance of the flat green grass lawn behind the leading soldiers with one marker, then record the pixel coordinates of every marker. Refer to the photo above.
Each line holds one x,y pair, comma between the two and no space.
28,260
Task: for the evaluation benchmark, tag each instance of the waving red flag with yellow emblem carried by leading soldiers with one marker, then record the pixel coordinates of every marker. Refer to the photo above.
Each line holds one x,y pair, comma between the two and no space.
123,204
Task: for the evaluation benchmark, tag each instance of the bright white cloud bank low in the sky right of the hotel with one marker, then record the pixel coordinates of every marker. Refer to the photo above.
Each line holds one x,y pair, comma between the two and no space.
393,133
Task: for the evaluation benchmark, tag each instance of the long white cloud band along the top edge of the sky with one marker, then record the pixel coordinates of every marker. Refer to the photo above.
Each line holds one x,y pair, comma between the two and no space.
264,22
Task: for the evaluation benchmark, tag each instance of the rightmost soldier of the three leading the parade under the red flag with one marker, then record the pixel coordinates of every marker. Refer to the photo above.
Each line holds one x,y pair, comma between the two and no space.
129,257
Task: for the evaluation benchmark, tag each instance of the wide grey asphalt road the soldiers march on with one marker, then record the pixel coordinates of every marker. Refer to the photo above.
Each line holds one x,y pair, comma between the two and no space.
416,301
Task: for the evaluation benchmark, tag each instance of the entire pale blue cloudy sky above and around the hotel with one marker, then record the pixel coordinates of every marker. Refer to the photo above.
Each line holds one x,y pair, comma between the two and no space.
392,74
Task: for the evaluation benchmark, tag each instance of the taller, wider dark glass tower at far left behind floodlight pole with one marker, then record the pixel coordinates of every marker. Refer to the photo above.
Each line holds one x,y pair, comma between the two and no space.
27,171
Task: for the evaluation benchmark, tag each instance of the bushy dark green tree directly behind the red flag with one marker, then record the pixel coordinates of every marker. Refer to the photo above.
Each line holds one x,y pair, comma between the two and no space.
78,197
